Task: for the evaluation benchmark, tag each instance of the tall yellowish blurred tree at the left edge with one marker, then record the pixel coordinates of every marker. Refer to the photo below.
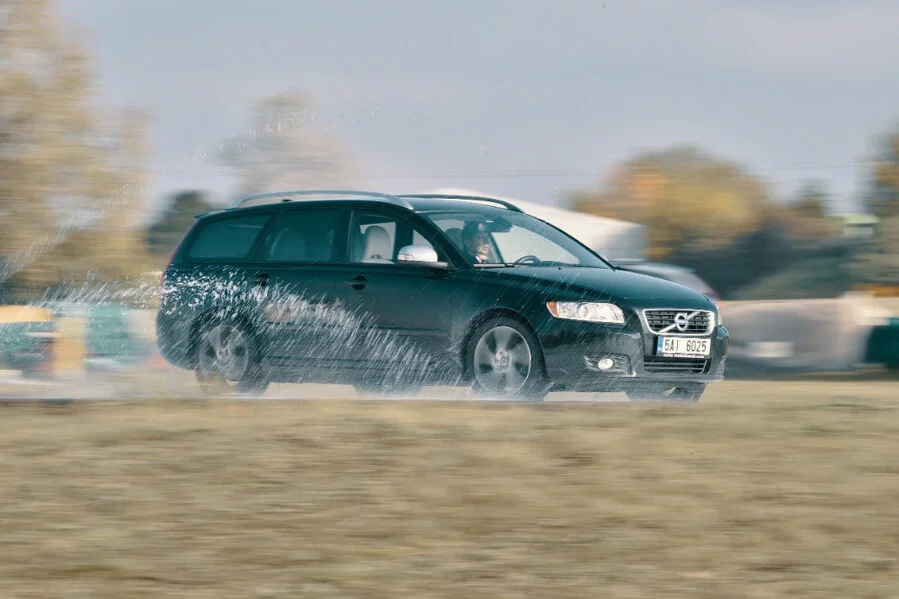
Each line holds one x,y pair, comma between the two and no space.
69,183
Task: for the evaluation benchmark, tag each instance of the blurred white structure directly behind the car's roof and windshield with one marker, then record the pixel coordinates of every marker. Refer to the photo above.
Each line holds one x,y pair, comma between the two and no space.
615,239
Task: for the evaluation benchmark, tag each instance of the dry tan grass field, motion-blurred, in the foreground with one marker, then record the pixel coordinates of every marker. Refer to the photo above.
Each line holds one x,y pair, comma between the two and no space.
761,490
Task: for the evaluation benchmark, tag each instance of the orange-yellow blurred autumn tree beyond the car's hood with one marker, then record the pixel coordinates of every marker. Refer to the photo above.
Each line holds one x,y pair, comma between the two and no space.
688,199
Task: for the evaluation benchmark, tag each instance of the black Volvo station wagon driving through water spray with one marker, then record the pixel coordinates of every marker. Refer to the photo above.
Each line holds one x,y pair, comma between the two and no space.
393,292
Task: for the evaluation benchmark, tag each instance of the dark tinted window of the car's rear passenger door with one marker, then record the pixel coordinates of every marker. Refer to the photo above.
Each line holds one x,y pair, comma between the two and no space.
304,235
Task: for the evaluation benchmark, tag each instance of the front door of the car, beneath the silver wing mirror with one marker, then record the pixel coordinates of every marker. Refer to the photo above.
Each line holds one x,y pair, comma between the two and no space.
404,308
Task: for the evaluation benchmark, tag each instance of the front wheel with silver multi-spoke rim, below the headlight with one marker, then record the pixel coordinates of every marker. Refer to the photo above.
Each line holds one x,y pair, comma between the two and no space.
505,361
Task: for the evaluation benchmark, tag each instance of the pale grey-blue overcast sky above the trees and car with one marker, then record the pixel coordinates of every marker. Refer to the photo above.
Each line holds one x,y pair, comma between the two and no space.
526,98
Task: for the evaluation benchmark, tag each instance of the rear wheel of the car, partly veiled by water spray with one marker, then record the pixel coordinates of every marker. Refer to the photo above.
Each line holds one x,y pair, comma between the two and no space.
227,360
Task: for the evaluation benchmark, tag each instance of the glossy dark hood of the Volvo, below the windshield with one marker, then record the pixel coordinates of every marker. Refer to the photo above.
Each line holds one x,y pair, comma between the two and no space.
607,283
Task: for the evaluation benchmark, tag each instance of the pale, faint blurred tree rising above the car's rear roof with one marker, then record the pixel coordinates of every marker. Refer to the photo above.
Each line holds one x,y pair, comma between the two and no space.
285,149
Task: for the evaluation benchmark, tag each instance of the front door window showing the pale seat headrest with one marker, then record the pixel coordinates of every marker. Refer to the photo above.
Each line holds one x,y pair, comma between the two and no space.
377,238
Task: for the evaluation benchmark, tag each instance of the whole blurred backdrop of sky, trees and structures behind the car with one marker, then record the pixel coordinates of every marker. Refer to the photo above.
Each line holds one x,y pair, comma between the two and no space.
750,150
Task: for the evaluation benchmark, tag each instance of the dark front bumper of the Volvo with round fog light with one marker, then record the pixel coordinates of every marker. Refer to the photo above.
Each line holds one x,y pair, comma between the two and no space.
571,351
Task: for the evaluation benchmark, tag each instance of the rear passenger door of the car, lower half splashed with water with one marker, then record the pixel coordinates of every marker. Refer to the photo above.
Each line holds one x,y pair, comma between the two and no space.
296,269
